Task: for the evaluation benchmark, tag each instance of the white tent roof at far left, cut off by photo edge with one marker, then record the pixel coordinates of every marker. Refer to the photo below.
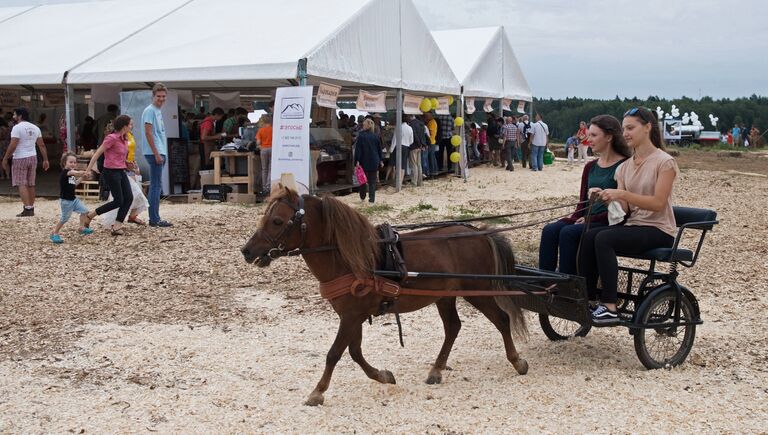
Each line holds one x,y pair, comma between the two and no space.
44,42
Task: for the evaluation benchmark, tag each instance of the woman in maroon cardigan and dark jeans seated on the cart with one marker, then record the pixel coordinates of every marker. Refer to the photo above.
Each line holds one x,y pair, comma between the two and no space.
605,136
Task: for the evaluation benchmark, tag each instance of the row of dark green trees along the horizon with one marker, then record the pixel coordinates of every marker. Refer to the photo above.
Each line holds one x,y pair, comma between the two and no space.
563,116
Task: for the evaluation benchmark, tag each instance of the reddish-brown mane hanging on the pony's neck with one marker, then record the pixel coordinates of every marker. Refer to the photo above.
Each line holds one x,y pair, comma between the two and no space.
353,235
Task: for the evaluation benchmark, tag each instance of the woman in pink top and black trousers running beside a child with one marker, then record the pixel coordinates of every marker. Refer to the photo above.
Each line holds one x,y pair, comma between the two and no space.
115,150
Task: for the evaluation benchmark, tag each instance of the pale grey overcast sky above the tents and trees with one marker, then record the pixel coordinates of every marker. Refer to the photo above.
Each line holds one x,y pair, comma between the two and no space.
603,48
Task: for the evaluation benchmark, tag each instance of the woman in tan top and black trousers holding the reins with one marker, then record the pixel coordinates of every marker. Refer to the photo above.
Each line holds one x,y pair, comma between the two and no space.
644,190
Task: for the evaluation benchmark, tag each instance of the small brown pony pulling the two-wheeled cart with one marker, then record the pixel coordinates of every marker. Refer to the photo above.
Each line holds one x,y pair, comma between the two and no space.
313,225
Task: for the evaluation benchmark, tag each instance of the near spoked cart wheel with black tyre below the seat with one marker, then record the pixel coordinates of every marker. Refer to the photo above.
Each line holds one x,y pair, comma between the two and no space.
664,346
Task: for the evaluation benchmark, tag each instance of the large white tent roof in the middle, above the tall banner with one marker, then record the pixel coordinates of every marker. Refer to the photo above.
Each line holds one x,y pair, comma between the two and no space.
382,43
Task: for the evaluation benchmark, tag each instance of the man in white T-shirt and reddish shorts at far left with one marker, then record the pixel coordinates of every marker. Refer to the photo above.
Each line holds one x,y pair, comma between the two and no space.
24,137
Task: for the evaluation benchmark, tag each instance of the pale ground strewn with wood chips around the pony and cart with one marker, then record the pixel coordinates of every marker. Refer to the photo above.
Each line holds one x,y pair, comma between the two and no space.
170,331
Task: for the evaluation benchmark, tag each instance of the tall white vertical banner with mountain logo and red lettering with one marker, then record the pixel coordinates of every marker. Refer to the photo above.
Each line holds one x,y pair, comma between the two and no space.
290,135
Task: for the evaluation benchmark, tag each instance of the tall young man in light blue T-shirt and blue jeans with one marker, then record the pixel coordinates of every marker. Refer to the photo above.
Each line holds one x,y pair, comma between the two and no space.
155,149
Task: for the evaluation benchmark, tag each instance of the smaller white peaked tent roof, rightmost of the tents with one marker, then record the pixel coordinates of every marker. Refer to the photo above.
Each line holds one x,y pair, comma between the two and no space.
484,62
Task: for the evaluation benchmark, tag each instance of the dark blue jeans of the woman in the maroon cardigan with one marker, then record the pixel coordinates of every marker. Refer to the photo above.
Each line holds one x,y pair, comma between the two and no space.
563,237
